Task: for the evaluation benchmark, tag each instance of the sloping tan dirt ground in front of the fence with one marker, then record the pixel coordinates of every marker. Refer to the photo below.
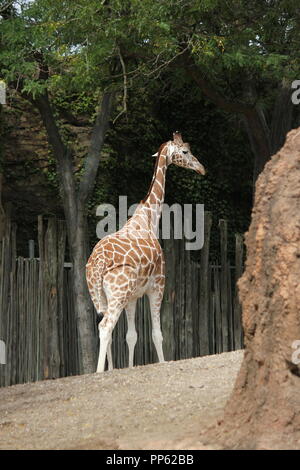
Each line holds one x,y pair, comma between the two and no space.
158,406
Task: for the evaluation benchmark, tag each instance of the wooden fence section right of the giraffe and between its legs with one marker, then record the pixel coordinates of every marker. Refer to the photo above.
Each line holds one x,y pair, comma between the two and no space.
200,314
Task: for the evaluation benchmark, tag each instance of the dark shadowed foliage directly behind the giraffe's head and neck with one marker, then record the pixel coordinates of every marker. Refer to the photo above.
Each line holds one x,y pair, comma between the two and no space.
217,140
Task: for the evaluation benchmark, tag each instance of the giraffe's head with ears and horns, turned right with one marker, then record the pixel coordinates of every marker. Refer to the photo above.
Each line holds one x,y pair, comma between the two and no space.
179,153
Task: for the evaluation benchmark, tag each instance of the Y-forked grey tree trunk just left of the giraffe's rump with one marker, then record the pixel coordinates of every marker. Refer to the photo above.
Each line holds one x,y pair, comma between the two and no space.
74,203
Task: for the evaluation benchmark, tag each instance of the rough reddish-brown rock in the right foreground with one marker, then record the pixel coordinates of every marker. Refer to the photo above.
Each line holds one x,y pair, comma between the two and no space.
264,409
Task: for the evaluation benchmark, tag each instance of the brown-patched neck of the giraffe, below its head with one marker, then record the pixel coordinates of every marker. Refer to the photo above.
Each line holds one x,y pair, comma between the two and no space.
156,194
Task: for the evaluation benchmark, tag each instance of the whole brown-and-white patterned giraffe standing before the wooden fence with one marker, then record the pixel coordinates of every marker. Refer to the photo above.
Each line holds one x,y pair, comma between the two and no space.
129,263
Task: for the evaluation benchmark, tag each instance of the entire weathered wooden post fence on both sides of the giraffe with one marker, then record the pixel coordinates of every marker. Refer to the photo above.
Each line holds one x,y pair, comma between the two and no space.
200,313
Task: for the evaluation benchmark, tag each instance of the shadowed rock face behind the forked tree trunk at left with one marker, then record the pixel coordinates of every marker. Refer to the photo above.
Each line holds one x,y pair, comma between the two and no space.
29,184
